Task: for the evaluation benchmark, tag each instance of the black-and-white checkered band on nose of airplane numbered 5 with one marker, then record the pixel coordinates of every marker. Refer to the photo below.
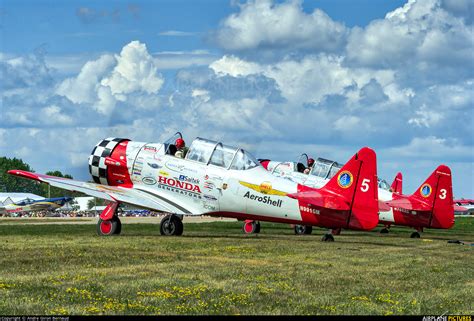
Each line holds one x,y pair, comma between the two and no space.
97,166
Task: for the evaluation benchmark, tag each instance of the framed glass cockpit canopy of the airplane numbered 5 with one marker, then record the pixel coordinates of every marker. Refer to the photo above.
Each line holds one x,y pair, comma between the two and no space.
214,153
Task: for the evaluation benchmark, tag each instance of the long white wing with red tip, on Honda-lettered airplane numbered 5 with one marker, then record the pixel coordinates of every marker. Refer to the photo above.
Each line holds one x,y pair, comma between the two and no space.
132,196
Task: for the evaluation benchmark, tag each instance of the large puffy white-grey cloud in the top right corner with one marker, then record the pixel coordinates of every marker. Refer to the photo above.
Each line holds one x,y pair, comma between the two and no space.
421,34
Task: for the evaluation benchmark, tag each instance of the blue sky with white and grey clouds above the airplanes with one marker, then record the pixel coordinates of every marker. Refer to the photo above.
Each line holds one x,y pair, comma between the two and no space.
278,78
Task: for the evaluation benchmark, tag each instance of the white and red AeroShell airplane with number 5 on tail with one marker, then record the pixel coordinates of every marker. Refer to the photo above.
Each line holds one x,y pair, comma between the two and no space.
222,181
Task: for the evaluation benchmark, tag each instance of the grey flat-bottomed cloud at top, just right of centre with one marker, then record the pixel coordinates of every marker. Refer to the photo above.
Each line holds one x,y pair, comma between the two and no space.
264,24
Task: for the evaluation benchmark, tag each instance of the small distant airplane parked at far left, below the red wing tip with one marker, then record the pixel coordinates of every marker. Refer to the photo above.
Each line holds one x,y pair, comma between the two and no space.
30,205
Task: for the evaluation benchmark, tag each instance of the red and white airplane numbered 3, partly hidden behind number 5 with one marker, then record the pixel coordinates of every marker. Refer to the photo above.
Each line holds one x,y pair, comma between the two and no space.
430,206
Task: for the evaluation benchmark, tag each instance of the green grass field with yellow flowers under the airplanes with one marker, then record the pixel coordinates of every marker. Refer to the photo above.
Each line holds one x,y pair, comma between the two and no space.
215,269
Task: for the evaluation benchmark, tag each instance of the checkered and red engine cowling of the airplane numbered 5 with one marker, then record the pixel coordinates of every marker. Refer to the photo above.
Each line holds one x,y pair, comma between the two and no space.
108,162
